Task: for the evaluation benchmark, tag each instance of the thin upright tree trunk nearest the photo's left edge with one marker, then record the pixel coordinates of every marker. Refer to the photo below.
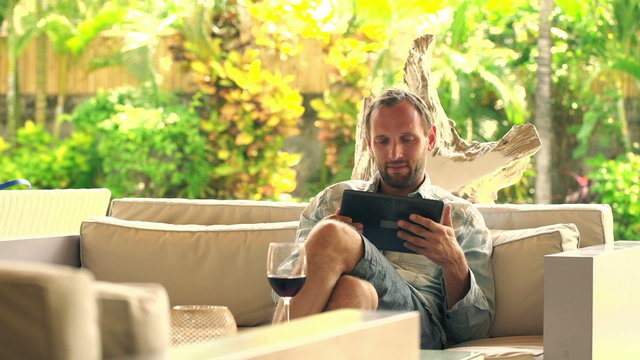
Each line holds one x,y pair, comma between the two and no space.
13,92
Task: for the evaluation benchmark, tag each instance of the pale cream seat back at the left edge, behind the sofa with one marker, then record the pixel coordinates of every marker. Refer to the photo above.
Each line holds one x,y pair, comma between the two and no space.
31,213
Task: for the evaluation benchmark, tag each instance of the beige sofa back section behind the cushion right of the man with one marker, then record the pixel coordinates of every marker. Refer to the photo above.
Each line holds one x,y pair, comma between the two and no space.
594,221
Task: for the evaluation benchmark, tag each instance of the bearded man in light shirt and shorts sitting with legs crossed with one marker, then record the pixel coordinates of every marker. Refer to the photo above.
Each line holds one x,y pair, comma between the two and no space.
449,282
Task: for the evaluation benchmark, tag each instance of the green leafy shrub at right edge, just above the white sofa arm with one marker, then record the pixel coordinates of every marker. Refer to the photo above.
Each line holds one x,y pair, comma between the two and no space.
616,182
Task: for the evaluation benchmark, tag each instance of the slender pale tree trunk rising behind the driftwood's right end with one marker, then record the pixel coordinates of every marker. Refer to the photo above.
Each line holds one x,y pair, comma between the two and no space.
543,114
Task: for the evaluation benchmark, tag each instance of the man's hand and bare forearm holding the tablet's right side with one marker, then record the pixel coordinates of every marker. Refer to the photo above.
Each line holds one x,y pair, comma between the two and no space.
438,243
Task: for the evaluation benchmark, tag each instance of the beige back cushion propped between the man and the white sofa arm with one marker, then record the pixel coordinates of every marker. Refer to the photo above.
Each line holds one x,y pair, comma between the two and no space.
518,267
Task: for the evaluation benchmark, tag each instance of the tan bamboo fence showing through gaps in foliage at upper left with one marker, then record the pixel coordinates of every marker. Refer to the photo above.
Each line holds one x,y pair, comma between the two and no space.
307,69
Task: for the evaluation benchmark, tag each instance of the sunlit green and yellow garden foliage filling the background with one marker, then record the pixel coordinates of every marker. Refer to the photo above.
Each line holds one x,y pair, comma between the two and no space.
228,139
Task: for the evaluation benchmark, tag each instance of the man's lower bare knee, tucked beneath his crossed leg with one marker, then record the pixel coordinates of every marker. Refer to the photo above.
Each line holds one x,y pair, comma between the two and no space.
353,292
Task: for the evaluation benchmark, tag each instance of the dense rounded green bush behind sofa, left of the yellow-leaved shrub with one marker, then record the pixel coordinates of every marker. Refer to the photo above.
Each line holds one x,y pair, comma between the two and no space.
153,153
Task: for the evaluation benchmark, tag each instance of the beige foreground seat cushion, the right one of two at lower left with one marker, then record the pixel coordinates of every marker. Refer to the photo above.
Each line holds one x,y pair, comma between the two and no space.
134,319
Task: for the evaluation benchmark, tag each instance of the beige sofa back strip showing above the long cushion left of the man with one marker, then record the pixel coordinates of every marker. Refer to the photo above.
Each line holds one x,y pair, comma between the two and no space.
205,212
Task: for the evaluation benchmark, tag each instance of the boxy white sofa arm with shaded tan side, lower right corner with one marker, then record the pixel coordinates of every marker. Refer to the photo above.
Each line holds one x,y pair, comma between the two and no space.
592,303
